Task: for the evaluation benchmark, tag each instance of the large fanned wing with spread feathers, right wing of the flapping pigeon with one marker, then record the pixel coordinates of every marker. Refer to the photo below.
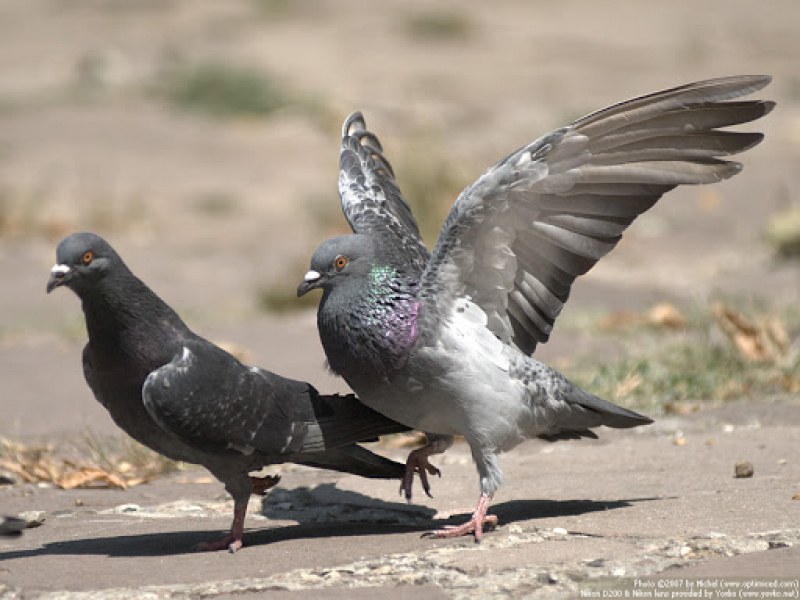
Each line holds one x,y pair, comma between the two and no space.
518,237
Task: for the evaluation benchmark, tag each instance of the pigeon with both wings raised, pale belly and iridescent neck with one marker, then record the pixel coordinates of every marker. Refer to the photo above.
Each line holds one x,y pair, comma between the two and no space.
442,341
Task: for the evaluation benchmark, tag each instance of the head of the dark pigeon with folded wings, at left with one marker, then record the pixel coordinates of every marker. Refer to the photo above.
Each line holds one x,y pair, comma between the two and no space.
82,259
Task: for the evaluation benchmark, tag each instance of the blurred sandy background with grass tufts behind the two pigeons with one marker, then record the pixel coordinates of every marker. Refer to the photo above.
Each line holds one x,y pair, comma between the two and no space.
201,139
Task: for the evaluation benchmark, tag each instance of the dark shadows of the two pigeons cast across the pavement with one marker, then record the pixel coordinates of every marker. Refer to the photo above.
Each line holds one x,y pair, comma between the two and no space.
319,512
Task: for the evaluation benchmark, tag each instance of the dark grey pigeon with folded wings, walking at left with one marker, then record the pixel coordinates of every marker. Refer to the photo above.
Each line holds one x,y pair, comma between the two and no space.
189,400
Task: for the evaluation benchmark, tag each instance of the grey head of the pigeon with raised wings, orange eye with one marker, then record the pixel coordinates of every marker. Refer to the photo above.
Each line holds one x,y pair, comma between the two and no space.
341,259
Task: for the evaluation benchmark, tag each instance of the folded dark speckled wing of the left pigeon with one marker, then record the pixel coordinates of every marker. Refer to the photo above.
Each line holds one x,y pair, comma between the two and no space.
211,401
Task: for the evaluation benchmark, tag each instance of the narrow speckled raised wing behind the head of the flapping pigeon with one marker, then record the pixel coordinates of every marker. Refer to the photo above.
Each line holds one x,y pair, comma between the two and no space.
371,199
